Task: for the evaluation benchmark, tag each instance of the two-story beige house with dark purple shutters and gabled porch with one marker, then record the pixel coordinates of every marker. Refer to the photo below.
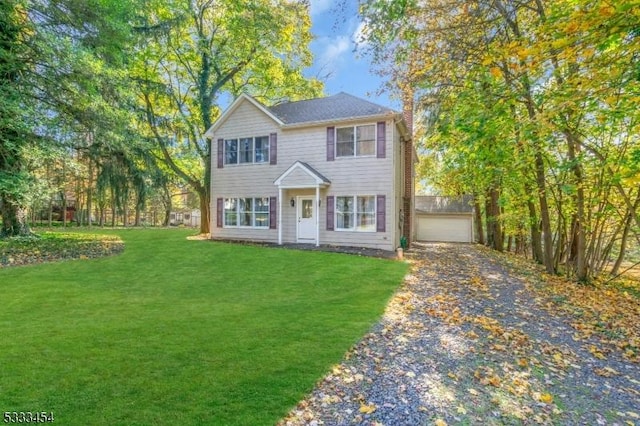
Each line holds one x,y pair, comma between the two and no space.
328,171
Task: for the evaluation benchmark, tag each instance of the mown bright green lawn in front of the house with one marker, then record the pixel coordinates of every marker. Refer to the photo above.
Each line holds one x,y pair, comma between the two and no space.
182,332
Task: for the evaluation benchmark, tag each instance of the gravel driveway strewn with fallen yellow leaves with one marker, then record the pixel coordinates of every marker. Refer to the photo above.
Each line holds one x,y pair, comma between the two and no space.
465,341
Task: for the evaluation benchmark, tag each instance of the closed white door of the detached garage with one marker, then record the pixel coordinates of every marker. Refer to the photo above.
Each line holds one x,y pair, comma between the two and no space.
445,228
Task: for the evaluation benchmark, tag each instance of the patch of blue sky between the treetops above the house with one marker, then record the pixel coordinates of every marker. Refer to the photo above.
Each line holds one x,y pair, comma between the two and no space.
339,61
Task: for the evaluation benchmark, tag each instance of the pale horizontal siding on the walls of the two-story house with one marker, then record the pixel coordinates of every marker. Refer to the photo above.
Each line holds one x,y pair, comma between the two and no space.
348,176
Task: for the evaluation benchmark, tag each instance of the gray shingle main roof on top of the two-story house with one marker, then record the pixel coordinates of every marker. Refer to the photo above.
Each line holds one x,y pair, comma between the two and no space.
336,107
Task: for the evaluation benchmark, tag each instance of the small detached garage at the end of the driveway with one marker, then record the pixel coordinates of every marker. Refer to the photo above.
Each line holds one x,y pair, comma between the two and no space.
445,219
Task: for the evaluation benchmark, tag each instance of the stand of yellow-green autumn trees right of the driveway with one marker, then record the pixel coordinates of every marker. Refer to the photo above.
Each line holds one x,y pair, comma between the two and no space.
531,106
